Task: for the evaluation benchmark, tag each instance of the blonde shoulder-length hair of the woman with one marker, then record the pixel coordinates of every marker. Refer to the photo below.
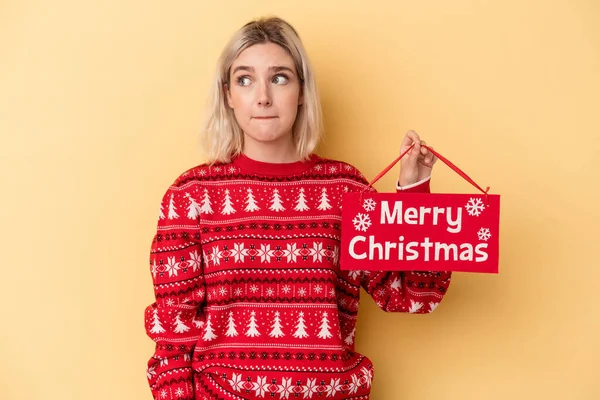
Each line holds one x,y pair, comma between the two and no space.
221,136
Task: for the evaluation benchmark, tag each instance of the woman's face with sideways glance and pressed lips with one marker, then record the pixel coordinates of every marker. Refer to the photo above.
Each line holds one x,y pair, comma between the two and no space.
264,93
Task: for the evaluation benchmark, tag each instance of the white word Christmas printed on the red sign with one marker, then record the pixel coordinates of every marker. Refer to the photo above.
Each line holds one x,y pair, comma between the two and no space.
411,251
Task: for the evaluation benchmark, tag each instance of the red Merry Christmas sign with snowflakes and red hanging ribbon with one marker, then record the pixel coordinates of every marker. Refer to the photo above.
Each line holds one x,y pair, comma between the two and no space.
420,231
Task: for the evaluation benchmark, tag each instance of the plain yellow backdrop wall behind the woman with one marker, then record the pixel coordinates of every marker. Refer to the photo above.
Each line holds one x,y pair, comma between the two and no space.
100,107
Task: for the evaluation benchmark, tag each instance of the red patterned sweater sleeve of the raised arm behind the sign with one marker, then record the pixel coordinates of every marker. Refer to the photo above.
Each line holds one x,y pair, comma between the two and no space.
407,291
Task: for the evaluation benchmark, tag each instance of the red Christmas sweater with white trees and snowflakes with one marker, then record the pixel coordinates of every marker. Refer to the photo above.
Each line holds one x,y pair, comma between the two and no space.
250,299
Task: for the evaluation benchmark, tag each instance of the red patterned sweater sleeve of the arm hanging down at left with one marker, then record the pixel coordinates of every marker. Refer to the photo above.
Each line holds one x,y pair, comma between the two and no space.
174,320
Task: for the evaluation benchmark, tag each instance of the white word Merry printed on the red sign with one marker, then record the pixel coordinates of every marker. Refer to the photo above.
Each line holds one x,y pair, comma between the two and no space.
417,216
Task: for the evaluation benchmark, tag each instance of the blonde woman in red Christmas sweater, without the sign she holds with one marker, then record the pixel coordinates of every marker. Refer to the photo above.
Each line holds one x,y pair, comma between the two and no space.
250,299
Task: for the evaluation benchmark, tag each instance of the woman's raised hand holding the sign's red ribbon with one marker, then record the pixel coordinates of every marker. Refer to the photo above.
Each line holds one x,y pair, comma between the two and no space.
417,164
